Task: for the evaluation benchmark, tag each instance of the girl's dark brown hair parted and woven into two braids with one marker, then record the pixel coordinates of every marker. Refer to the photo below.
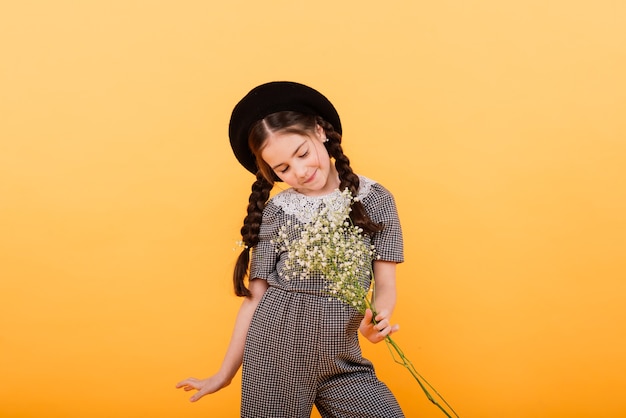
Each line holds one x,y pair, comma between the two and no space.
303,124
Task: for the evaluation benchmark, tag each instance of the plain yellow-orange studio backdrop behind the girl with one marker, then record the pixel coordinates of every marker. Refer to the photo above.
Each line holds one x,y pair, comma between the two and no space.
499,126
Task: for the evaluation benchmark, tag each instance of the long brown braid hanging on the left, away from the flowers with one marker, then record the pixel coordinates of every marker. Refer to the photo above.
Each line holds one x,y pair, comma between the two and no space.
250,231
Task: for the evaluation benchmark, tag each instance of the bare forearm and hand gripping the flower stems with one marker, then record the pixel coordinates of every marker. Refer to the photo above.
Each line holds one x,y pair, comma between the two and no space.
384,303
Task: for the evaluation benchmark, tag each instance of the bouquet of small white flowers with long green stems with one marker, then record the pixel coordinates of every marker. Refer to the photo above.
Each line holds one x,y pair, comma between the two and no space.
331,245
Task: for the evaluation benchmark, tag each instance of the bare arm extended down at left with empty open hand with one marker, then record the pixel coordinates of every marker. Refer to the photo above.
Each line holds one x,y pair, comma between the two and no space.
234,354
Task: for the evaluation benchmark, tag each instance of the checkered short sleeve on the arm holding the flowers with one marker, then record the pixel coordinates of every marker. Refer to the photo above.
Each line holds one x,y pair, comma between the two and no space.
381,207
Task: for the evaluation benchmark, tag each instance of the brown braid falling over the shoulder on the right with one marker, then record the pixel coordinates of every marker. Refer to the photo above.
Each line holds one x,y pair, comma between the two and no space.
348,179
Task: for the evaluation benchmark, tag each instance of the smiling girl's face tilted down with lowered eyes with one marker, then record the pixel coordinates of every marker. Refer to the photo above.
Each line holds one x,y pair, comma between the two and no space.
301,161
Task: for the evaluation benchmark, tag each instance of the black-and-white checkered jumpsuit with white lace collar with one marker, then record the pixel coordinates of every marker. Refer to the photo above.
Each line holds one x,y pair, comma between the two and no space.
302,347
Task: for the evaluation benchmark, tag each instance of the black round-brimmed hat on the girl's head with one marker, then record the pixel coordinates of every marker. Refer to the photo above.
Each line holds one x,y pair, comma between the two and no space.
276,96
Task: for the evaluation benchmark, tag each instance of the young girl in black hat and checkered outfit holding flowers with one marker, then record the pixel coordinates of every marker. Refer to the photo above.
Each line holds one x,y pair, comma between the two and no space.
299,347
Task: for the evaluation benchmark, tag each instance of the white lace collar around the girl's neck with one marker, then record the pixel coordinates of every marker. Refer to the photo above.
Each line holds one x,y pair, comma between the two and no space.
304,207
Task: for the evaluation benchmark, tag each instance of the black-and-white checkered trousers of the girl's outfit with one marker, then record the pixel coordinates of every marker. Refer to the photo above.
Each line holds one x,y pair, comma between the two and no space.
302,350
